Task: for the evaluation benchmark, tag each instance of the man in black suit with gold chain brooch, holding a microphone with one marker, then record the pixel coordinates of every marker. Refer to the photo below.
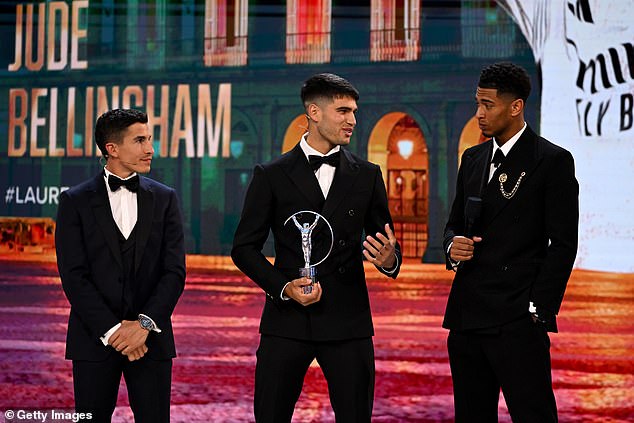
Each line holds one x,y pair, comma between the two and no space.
513,254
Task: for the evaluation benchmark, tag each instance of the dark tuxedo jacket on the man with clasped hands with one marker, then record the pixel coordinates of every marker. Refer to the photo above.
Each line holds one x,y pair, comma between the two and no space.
91,268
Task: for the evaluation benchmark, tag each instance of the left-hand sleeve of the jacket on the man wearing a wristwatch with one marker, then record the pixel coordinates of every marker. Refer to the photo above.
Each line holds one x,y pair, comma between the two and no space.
74,270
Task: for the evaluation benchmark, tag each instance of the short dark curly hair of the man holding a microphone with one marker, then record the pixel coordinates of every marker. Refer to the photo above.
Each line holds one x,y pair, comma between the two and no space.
507,78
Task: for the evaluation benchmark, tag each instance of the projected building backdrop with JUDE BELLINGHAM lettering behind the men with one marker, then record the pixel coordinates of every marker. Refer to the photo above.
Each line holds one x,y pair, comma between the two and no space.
220,82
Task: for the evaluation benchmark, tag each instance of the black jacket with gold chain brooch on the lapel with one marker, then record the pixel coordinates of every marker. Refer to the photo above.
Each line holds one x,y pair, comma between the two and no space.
529,241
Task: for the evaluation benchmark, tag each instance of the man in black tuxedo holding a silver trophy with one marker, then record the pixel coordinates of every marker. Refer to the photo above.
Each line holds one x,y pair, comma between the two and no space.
332,322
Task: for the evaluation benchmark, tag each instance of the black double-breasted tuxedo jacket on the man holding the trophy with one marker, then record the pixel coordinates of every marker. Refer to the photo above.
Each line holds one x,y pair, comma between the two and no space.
356,202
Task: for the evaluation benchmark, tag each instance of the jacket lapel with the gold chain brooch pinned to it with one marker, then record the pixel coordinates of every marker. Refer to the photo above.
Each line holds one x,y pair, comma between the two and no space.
522,158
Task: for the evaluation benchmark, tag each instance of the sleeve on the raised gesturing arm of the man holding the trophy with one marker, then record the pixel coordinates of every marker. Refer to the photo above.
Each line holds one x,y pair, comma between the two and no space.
377,216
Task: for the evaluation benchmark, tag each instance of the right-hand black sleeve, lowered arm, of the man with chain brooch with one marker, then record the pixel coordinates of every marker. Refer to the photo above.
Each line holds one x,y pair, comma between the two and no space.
561,217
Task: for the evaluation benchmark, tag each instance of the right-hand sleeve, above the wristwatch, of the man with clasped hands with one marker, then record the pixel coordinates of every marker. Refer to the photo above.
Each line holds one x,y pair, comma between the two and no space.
169,287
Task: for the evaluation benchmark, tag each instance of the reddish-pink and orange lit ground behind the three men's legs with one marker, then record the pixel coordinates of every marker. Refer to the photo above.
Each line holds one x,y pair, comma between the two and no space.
216,333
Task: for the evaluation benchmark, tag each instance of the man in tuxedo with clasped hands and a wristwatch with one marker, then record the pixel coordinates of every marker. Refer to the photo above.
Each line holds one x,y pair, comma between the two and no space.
121,259
